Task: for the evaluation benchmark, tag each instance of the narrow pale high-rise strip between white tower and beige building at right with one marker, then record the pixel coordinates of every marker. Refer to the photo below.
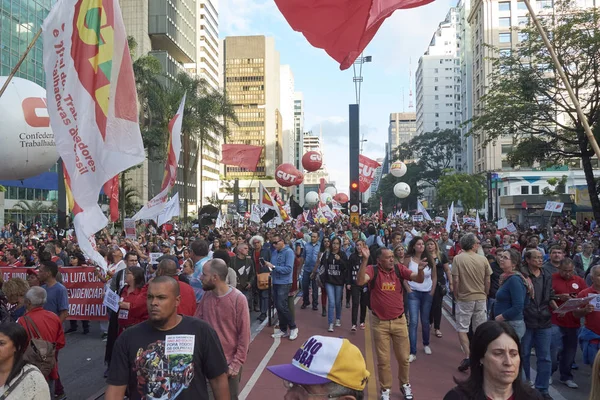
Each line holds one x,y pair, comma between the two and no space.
465,55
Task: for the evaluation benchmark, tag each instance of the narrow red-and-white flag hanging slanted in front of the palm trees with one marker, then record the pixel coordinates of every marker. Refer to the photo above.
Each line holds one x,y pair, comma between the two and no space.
158,203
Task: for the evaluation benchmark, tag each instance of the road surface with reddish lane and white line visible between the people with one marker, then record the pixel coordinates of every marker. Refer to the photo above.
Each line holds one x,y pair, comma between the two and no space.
81,362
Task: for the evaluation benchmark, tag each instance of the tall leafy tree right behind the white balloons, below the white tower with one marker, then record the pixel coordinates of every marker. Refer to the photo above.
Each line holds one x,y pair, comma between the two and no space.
434,153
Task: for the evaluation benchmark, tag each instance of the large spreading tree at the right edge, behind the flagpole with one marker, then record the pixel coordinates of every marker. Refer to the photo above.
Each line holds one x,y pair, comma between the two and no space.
527,102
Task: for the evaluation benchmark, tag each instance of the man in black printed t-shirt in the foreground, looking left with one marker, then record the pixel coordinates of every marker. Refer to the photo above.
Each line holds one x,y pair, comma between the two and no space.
168,355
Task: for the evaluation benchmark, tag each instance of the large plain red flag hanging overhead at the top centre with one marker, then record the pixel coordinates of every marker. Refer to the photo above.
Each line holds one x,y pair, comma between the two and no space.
343,28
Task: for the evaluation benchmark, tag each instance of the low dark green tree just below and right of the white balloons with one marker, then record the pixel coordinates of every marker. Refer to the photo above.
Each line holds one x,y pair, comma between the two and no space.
470,190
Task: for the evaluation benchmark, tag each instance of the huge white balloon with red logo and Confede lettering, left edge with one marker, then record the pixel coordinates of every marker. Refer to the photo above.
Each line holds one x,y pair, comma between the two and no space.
28,147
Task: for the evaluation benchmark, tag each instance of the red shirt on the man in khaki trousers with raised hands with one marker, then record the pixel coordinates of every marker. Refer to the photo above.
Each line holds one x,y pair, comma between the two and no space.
387,300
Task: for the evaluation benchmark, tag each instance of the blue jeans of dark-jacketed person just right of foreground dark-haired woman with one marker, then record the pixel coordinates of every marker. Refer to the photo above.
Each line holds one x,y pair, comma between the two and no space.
540,339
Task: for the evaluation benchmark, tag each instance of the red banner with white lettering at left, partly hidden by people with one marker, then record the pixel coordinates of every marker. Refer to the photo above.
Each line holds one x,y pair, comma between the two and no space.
85,291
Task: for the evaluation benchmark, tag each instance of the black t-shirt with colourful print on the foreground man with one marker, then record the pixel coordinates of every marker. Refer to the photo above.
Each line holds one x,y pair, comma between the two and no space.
173,364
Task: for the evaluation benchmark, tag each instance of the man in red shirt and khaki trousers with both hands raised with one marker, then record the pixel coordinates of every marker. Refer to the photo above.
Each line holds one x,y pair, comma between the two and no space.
389,321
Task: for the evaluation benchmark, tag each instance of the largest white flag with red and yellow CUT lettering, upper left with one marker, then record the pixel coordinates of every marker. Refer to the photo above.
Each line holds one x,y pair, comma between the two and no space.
92,103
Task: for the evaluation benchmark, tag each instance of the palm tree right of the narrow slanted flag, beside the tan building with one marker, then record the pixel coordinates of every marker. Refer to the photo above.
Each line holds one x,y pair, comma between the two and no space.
202,124
